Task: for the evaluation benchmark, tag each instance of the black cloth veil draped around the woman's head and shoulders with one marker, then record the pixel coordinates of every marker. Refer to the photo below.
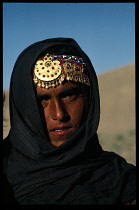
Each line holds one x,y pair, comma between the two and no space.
76,172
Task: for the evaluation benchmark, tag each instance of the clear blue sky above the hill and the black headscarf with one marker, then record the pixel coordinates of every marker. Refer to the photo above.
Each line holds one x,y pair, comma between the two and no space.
105,31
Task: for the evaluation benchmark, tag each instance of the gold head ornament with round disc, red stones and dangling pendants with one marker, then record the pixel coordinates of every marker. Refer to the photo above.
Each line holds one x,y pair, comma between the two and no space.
51,70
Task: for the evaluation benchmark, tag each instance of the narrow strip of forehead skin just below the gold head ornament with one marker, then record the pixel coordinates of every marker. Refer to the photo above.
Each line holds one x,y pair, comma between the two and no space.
57,90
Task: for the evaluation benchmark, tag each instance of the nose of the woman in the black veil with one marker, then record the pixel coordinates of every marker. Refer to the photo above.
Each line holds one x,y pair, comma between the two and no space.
58,111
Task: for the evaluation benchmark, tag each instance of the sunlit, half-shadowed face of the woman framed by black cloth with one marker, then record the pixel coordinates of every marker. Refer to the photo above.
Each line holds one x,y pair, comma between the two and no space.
63,109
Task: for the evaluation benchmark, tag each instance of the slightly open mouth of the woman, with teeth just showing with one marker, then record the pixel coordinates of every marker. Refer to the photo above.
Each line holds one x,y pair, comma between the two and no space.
61,131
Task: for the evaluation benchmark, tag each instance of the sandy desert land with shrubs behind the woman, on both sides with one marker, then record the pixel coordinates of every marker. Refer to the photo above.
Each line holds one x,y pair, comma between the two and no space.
117,118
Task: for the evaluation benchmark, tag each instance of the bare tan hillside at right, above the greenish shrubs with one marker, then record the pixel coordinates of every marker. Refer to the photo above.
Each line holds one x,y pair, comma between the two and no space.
117,94
